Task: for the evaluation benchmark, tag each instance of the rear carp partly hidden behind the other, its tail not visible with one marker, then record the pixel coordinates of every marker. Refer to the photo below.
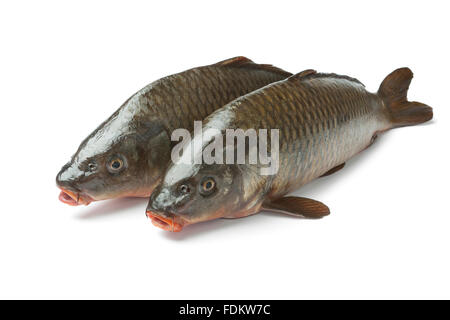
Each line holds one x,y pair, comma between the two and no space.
127,154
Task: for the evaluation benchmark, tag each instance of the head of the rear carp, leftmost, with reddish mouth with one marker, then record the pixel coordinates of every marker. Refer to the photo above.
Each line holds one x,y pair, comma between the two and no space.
109,165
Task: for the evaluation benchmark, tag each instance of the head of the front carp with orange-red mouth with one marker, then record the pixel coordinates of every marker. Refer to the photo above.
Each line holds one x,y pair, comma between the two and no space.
190,194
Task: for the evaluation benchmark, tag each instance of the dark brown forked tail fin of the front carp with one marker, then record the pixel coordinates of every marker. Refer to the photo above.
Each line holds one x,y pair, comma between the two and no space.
393,91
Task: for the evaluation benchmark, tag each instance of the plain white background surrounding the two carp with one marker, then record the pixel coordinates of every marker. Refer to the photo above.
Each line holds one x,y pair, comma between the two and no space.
66,66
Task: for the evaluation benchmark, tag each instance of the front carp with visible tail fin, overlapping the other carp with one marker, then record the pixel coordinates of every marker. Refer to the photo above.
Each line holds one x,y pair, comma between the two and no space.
323,120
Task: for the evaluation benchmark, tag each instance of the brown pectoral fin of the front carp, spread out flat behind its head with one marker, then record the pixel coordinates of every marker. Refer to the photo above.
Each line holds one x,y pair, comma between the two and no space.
298,206
